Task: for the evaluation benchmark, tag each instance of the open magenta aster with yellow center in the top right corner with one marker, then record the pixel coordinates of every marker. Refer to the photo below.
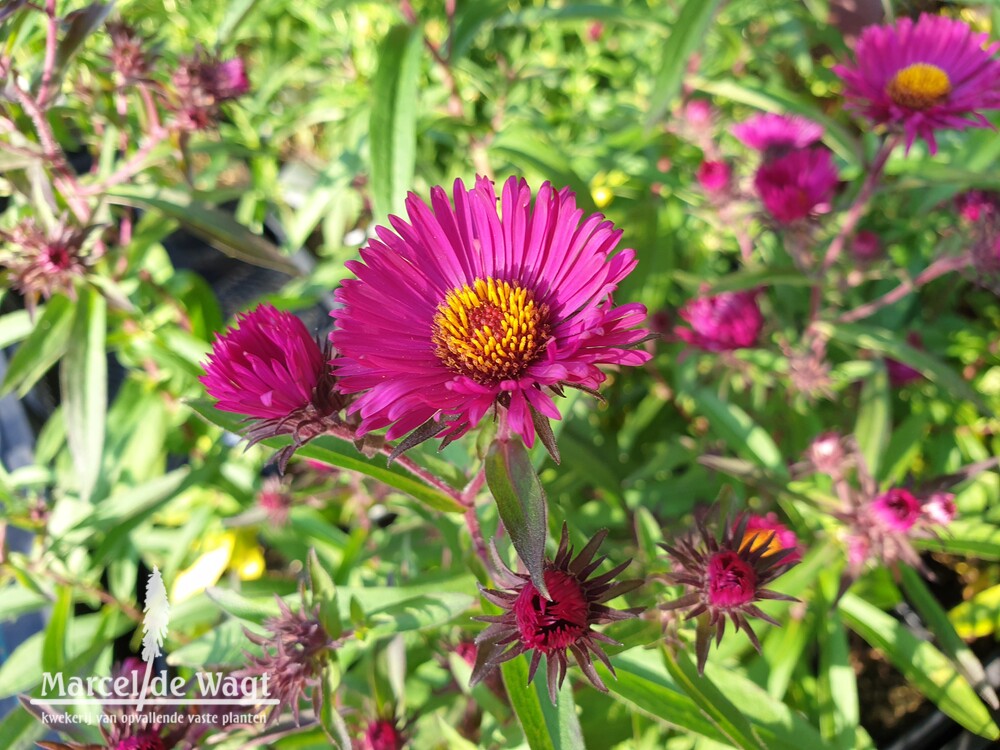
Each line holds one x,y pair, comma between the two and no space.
923,76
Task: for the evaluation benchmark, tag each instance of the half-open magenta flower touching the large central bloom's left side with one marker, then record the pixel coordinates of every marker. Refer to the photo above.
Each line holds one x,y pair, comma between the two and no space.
271,370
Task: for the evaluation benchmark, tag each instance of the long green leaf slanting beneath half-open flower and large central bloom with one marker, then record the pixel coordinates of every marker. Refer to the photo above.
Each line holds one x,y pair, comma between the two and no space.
338,453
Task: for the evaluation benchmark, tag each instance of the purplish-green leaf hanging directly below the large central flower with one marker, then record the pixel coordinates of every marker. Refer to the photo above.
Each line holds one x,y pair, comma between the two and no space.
521,504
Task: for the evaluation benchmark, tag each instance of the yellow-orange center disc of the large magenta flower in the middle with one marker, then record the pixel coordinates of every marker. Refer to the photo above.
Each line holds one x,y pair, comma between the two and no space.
490,331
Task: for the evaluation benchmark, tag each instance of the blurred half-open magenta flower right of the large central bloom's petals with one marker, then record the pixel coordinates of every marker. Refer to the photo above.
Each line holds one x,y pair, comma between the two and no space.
724,322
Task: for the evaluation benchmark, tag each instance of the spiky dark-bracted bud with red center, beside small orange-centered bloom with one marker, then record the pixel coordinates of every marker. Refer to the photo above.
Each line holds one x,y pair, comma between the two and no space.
725,577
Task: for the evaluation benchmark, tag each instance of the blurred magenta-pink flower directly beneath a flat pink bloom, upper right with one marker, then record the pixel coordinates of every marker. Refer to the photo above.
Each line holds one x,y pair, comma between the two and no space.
798,184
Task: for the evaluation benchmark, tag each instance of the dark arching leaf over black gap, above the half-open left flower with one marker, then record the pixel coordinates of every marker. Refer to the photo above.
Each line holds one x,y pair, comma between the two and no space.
213,225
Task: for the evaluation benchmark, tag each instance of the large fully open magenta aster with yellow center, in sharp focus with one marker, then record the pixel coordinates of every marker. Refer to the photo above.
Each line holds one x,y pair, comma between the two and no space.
465,309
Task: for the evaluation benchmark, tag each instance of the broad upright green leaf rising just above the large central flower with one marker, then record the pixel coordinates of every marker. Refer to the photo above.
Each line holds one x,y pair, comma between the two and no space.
393,125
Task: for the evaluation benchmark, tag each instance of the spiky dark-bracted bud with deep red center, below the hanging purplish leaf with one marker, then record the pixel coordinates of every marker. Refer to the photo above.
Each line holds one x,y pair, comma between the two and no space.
553,627
